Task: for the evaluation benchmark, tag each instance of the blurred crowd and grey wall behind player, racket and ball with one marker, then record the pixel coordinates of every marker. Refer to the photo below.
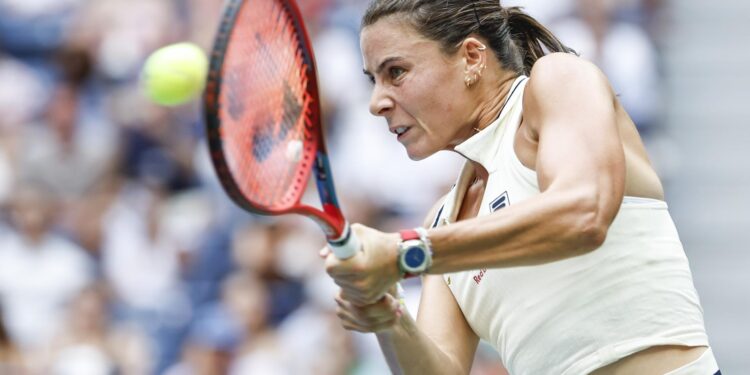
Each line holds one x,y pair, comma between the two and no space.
119,252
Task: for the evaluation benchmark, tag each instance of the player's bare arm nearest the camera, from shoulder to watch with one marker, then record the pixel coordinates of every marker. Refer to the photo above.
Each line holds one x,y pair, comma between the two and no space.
580,163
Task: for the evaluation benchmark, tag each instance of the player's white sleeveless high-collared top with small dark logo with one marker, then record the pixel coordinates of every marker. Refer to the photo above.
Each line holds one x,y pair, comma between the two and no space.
578,314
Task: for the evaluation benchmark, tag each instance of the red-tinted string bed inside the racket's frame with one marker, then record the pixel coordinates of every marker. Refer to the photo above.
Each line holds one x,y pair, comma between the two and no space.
267,107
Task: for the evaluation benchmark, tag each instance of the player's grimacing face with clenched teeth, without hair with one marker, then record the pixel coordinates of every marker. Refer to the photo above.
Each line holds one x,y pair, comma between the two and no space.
417,88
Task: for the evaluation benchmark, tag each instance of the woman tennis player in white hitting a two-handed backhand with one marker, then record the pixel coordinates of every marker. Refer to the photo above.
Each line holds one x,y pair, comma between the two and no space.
555,245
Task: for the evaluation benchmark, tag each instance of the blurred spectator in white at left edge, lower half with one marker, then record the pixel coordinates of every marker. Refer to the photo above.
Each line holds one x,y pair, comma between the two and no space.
40,271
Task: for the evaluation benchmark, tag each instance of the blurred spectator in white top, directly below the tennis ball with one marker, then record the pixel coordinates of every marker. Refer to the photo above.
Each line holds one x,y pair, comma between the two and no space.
142,262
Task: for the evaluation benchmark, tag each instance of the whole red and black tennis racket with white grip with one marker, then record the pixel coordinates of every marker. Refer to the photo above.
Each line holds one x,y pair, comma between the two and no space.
263,117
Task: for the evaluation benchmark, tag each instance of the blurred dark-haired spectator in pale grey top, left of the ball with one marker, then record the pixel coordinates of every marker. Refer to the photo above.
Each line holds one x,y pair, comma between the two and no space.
71,138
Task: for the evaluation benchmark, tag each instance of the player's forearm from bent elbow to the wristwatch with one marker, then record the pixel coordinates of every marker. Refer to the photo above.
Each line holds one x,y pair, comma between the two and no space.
549,227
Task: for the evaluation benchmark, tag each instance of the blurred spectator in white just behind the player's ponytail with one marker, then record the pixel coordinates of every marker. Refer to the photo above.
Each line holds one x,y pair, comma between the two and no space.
623,51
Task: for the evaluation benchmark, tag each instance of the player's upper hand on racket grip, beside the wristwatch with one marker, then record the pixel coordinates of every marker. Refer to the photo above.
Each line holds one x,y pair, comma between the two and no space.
365,277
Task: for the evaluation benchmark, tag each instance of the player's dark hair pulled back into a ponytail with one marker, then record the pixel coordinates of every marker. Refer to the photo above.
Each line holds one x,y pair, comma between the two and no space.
516,38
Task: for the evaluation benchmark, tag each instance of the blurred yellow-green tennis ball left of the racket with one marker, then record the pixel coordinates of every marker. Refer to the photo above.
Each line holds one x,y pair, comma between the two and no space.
175,74
